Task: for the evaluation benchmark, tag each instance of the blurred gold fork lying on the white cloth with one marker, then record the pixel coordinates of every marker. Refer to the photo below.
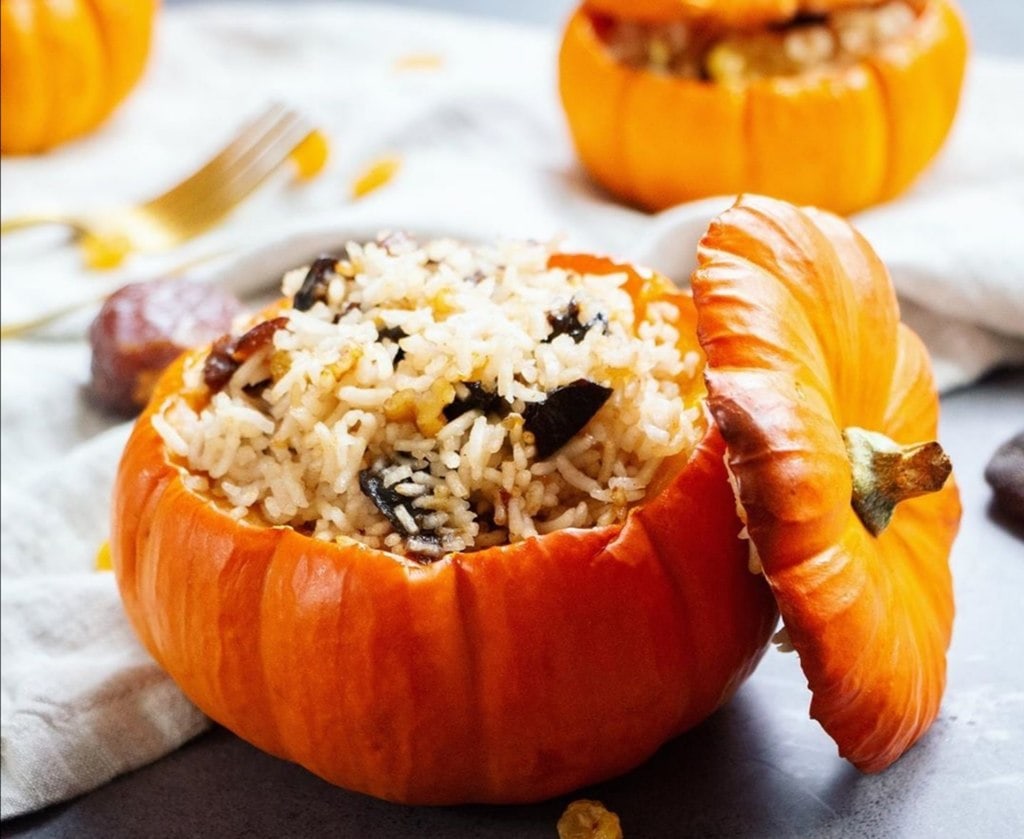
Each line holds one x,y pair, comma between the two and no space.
201,200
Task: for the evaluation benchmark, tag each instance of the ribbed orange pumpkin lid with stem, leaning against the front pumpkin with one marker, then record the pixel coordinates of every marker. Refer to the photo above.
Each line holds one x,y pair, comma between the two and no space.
828,407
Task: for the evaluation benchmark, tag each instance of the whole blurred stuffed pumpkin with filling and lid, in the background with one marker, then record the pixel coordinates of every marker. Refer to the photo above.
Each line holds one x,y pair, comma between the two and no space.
739,109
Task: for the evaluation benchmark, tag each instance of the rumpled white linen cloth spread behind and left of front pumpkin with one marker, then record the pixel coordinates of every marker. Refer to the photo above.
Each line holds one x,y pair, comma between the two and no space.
485,154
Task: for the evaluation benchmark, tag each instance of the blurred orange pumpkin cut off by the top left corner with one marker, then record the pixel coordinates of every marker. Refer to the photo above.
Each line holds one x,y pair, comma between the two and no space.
66,66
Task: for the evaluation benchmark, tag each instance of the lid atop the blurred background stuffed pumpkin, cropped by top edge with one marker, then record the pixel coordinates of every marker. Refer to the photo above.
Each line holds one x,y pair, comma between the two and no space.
734,13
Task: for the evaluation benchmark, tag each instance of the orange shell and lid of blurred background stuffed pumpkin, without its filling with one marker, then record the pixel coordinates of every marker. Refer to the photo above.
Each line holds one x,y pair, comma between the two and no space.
842,139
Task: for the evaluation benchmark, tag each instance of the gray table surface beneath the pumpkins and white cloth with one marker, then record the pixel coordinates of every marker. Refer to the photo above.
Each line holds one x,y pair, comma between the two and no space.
759,768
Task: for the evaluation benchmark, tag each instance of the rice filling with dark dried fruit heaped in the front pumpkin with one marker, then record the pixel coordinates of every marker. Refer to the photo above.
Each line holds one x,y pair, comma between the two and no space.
438,398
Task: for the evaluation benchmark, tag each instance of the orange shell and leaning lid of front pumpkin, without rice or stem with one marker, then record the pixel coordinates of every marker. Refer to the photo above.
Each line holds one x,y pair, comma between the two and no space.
517,674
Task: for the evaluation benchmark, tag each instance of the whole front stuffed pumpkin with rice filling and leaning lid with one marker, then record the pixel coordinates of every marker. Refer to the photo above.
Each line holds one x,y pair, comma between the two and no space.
436,571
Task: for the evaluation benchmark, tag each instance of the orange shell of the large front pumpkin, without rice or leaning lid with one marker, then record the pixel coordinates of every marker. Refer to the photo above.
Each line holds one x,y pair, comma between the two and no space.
510,675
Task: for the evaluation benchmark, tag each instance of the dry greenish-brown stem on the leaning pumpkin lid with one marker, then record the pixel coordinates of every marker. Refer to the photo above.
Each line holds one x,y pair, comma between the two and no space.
885,474
